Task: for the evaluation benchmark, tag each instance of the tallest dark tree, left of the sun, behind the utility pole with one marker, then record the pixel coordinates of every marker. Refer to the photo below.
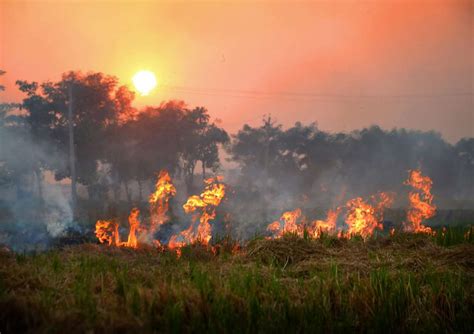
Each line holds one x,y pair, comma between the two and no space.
98,104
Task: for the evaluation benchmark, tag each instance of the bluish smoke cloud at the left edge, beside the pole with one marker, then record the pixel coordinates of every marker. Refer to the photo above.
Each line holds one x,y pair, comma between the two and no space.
34,209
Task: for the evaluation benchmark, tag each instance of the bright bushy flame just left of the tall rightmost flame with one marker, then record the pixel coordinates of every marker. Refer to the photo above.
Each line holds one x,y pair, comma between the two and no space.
363,218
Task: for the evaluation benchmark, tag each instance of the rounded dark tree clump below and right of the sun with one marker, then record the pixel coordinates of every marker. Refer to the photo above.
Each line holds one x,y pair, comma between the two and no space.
169,137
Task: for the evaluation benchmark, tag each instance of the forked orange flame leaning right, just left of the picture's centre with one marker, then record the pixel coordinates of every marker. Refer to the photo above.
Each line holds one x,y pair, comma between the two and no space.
204,206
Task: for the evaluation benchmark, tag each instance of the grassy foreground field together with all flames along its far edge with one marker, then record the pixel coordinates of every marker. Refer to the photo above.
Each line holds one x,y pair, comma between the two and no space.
347,272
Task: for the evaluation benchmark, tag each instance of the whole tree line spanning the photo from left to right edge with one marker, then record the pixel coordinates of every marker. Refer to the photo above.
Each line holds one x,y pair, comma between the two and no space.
113,139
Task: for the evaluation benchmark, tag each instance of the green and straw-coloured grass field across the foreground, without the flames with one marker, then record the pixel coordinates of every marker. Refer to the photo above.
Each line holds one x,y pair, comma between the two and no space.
400,283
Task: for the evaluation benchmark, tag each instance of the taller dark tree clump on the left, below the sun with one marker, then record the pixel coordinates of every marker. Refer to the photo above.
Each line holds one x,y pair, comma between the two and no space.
107,130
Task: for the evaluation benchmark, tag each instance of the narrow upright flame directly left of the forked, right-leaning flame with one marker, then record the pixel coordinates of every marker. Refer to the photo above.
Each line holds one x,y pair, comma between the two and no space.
159,200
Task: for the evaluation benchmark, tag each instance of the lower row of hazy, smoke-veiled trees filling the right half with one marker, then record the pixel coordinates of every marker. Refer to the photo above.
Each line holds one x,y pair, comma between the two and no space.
359,163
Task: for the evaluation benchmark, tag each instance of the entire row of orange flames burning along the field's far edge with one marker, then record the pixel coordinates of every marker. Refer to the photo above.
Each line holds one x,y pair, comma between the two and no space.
363,216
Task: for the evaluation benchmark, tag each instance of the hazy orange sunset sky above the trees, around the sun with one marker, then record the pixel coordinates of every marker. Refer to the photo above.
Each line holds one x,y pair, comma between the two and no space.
342,64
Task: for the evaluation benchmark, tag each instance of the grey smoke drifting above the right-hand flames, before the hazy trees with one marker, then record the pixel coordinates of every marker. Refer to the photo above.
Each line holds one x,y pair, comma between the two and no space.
361,164
